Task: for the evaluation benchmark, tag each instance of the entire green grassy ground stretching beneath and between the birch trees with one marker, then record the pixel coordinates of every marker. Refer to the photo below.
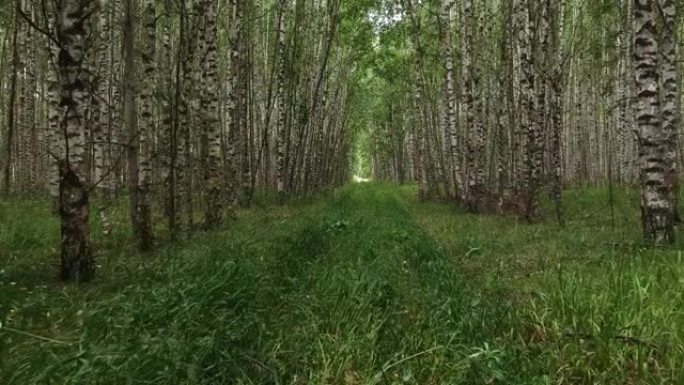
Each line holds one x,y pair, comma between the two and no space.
364,285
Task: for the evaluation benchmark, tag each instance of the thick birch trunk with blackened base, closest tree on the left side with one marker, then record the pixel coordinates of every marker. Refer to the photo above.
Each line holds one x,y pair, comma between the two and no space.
73,24
